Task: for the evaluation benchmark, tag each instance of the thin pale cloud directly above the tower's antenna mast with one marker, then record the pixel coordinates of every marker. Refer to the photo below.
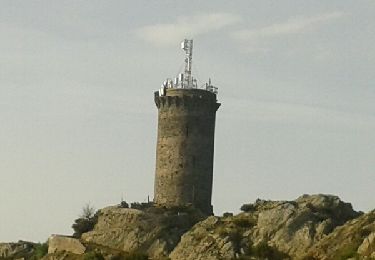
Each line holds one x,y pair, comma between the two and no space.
186,27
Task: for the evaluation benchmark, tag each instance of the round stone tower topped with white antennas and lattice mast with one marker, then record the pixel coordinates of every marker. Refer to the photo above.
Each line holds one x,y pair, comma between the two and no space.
185,142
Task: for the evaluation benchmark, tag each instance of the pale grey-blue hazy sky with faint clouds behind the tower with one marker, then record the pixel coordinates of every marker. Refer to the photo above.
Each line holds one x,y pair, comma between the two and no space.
78,120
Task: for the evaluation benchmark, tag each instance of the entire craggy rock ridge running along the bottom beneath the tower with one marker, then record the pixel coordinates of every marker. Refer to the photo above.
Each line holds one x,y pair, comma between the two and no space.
311,227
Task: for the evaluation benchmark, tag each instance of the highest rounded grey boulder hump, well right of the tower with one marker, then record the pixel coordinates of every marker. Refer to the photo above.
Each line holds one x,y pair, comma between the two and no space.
293,227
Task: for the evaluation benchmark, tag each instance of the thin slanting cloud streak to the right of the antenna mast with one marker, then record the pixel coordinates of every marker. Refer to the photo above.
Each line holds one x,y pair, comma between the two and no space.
253,38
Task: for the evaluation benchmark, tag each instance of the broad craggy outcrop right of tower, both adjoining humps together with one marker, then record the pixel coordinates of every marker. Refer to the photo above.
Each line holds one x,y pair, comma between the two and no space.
273,229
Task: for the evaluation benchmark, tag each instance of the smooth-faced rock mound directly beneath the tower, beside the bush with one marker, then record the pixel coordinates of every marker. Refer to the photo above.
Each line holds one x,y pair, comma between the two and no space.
155,231
